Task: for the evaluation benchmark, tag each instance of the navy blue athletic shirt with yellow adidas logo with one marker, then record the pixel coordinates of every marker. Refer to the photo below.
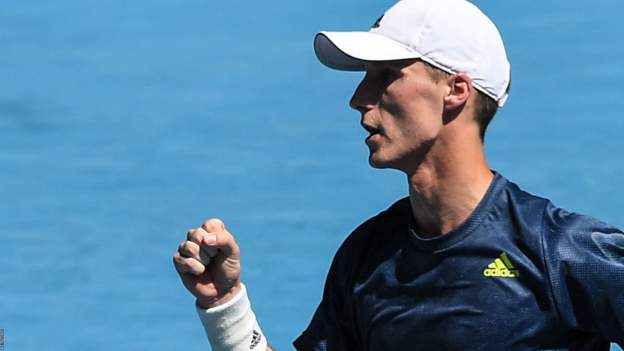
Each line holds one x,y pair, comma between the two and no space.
518,274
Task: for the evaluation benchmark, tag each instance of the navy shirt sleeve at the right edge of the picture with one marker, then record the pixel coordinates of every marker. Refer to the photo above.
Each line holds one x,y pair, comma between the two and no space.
586,263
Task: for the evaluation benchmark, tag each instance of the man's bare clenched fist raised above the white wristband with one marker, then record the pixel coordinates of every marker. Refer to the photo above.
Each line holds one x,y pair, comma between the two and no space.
208,263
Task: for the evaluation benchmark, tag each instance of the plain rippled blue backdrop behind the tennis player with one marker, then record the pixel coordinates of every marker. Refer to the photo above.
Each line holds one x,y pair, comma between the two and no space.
125,123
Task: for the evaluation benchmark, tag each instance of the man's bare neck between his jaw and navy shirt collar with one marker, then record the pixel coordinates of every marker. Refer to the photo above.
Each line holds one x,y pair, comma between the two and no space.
444,191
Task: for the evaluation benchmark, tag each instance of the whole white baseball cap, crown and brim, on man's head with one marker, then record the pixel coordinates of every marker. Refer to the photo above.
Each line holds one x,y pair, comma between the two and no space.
452,35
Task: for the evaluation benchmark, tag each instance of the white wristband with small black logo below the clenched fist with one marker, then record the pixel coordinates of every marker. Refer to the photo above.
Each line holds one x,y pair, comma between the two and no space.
233,326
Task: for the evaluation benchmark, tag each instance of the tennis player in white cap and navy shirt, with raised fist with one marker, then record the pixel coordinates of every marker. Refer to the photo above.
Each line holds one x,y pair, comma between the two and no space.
468,261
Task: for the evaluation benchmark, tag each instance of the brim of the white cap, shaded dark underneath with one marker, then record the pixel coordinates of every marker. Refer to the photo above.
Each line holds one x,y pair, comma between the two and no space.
348,51
